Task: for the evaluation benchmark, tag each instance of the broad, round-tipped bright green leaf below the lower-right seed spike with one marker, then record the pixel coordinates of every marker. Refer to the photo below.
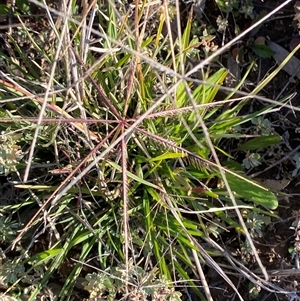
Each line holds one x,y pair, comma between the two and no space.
252,192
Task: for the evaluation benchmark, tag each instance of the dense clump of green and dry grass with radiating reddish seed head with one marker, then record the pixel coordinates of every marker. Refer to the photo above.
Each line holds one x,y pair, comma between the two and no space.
117,156
